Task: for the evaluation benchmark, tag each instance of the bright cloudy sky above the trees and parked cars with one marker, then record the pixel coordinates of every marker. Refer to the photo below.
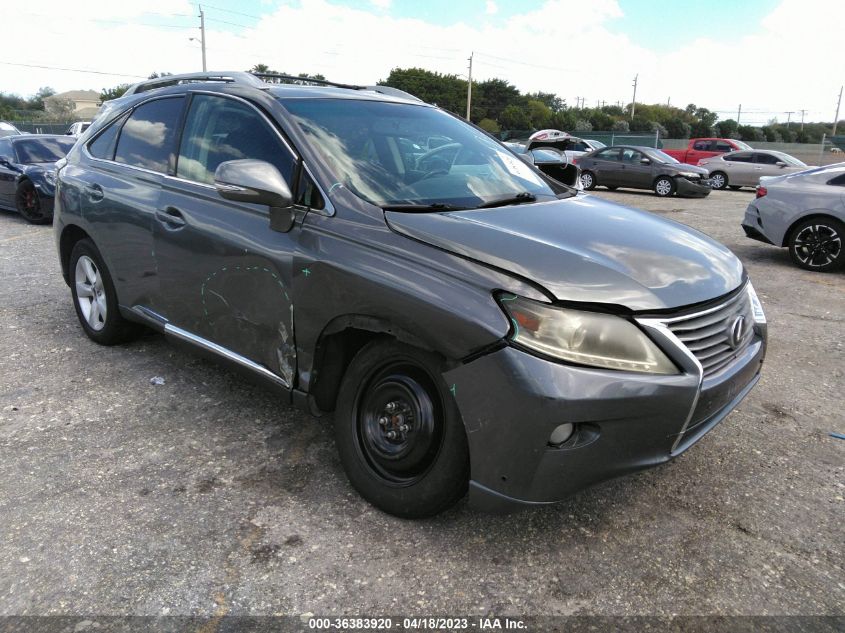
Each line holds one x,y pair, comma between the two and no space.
769,56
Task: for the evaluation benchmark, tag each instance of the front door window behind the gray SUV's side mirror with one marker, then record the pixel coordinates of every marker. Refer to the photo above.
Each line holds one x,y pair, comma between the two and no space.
219,129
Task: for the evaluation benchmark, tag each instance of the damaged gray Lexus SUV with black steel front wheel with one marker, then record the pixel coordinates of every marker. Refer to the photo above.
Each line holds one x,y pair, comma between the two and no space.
473,324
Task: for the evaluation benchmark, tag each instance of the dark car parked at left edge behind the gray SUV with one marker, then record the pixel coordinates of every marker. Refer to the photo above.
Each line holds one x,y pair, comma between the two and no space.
28,173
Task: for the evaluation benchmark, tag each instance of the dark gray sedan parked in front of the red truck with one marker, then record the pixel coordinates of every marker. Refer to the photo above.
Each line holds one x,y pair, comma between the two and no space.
637,167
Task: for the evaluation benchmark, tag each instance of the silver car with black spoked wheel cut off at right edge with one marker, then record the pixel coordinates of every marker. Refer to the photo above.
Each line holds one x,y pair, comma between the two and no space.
804,212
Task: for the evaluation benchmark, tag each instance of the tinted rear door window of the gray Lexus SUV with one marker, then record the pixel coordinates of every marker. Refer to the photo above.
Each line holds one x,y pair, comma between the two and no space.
147,138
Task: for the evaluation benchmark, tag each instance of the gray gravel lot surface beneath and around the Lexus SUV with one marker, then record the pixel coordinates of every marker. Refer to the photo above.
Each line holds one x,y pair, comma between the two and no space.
207,496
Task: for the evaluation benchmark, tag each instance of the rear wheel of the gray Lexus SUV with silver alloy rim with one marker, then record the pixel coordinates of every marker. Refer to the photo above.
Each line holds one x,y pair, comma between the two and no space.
95,299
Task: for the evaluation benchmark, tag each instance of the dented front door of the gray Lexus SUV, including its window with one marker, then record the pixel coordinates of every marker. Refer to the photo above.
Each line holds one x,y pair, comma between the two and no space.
225,276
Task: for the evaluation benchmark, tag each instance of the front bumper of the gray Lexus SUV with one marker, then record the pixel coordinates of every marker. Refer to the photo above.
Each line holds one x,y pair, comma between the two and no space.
511,402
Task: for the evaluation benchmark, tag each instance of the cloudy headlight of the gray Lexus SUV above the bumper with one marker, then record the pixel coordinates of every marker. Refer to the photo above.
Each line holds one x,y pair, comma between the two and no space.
586,338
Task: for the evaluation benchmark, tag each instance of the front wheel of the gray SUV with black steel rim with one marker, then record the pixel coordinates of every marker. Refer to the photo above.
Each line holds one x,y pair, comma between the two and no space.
399,433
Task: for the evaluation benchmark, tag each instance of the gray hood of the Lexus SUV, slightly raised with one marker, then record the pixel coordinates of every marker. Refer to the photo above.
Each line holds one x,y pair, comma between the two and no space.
586,249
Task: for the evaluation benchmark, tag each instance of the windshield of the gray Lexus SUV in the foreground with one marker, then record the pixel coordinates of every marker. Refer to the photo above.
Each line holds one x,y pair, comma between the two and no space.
398,154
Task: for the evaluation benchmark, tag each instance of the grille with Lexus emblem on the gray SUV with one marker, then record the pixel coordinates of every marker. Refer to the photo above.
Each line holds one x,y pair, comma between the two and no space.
713,335
